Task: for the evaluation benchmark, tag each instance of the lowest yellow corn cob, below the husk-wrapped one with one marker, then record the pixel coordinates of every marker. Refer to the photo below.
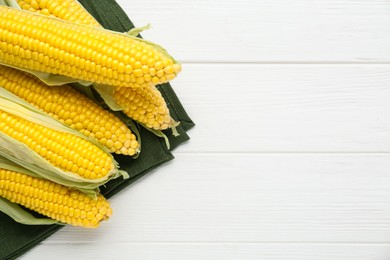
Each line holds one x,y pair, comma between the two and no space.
54,200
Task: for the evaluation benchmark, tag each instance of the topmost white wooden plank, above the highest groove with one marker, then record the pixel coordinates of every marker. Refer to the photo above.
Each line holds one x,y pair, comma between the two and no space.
267,31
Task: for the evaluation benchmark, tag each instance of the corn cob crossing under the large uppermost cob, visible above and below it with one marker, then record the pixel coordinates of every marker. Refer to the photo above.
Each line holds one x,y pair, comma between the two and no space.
145,105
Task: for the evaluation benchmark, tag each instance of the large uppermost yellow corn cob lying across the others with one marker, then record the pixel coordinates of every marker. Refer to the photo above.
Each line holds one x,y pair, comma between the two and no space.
41,43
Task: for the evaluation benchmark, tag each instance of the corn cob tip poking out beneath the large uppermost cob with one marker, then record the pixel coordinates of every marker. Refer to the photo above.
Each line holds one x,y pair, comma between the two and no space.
145,105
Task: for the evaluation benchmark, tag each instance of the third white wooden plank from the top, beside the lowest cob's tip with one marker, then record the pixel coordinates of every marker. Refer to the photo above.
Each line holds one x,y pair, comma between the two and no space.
300,198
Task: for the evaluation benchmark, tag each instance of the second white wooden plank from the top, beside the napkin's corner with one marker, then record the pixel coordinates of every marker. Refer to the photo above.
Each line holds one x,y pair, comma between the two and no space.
286,108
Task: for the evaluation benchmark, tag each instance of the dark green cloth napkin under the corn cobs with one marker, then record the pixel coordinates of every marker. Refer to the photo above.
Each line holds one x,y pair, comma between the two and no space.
16,239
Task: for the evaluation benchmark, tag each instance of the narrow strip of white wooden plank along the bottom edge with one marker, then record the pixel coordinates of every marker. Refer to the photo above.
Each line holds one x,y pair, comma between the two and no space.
205,251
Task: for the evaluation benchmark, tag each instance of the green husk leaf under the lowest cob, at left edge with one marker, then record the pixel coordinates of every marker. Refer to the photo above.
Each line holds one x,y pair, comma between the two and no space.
22,216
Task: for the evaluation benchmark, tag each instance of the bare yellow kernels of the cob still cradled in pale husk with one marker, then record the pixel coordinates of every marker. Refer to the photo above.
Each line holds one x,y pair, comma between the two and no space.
65,151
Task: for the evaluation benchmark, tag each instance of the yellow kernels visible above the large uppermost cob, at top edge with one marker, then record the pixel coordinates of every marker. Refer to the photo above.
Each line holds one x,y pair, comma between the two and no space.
69,10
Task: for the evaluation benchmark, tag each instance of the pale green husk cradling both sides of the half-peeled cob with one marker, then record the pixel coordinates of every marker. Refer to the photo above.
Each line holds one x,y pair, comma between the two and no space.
24,156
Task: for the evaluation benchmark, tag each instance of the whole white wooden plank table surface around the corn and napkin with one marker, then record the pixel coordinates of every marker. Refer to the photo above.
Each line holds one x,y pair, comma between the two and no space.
290,156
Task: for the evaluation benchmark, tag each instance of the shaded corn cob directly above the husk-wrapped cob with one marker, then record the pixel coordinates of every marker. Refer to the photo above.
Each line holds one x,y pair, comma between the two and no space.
72,108
